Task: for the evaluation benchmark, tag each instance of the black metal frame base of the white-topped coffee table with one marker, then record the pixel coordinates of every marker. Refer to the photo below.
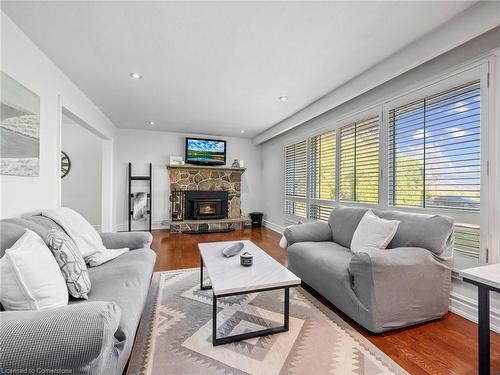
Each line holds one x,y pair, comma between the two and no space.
247,335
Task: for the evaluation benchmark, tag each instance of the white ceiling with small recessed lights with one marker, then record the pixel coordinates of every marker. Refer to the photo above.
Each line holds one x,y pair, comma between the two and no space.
219,67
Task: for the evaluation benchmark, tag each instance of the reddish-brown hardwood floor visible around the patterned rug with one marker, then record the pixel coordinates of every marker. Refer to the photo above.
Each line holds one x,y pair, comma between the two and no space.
447,346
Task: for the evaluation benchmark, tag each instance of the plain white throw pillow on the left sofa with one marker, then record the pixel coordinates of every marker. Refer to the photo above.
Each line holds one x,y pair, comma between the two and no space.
30,276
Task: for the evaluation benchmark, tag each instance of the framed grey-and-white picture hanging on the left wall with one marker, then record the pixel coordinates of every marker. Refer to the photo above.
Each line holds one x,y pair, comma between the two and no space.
19,129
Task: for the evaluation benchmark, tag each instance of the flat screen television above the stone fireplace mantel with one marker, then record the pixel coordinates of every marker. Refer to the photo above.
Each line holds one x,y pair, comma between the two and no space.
205,151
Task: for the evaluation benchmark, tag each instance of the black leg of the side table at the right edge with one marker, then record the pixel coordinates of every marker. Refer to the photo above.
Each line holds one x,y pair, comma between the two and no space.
484,330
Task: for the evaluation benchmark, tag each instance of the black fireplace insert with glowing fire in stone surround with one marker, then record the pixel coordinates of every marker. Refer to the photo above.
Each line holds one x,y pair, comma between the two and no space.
205,204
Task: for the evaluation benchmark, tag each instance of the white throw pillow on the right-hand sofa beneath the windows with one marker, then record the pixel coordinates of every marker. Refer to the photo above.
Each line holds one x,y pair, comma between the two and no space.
373,233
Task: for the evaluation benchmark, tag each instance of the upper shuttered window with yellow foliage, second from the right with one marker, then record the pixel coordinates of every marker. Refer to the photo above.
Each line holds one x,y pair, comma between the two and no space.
359,161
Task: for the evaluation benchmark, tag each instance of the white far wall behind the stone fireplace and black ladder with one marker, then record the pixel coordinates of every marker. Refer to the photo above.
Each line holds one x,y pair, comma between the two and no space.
144,146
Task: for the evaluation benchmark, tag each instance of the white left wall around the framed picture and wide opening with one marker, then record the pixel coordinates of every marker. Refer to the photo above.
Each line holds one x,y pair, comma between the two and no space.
23,61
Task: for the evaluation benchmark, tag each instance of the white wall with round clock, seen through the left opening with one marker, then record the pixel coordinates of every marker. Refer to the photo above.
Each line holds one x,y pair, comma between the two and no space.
81,188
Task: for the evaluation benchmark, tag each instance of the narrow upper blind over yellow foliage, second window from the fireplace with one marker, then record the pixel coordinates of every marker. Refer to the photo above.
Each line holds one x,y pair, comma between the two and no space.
322,166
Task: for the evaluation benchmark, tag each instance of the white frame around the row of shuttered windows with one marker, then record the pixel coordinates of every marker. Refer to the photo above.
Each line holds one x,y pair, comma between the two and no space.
479,69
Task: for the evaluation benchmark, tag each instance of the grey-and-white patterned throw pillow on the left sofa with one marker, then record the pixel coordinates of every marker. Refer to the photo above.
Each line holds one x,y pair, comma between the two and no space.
70,262
